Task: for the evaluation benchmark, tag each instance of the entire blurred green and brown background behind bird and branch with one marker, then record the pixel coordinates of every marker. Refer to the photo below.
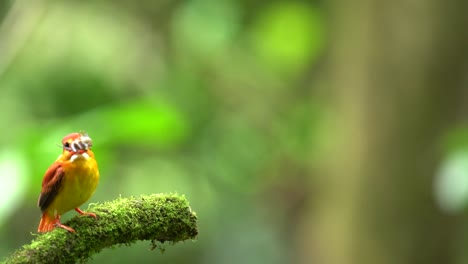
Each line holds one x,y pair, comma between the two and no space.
300,131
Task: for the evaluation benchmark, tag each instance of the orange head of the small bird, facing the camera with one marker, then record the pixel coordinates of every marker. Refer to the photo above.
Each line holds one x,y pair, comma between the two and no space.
77,144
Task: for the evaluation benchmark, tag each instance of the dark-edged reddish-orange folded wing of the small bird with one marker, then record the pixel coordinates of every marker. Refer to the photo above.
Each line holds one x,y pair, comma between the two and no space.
50,185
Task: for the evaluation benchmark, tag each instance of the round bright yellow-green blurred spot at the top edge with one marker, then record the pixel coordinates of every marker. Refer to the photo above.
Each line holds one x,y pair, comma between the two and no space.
288,35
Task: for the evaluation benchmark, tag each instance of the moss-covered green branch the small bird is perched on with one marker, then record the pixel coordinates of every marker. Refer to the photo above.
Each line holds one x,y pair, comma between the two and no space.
158,217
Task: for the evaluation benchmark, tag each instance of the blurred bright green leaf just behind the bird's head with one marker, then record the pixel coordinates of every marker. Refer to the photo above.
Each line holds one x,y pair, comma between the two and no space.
138,122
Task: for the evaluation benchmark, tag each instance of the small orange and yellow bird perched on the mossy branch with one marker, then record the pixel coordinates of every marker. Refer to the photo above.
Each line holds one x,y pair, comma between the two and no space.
69,182
